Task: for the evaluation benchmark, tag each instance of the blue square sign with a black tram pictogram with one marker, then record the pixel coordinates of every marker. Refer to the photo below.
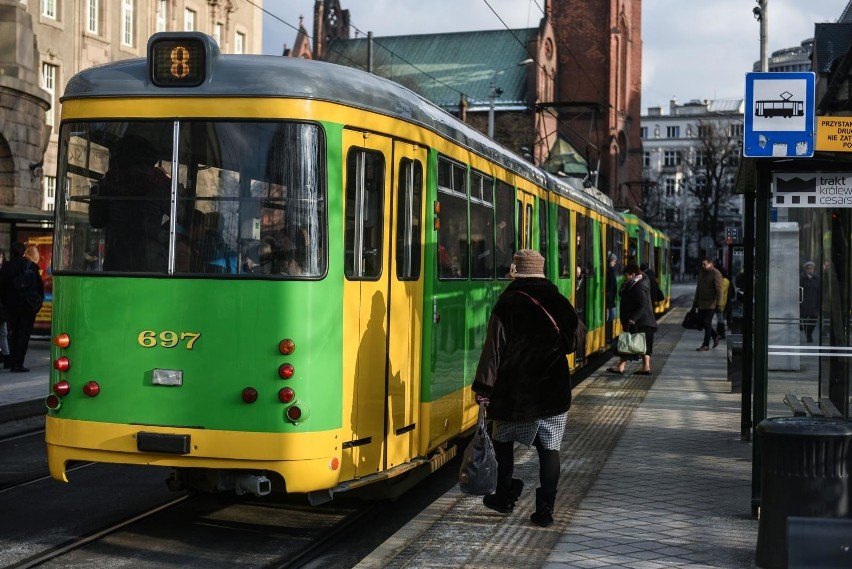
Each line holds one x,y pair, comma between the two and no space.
779,115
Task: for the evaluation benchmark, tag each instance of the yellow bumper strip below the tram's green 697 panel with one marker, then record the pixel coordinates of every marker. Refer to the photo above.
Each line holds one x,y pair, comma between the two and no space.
307,466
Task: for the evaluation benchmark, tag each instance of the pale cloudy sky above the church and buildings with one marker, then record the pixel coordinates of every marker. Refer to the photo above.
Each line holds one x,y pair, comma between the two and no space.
692,49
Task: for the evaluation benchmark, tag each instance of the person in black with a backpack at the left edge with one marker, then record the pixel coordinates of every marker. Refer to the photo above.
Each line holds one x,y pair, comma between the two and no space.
22,293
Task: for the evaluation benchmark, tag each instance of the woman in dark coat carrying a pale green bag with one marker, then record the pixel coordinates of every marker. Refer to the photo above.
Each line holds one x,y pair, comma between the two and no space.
637,314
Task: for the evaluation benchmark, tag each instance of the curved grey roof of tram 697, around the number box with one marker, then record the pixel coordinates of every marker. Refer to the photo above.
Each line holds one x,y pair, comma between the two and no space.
285,77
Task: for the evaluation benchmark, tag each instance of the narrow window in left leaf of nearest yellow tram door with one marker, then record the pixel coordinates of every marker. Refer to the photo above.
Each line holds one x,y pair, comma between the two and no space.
365,174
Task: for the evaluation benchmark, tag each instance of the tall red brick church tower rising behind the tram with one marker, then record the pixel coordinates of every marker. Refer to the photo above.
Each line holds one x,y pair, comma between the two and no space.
599,90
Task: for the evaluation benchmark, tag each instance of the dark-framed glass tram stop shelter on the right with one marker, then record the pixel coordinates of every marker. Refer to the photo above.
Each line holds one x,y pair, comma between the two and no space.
796,273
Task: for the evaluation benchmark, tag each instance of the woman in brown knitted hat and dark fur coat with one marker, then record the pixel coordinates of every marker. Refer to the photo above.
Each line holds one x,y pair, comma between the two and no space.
523,376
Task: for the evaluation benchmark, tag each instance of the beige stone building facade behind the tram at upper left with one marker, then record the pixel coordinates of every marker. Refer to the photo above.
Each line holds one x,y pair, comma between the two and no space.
45,42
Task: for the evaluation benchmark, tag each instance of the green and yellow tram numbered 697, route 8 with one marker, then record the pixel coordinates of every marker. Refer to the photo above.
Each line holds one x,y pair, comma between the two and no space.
273,274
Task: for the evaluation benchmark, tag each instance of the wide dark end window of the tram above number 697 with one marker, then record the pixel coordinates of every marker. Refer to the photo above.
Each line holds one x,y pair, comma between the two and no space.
232,199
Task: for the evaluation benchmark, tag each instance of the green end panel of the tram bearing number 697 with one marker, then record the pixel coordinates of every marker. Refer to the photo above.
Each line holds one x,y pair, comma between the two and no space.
239,324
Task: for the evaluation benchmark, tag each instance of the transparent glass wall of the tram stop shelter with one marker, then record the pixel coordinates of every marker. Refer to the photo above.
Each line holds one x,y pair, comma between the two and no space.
809,343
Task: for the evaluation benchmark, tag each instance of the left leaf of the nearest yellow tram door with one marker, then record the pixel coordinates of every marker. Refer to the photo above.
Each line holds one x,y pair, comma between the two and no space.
367,183
